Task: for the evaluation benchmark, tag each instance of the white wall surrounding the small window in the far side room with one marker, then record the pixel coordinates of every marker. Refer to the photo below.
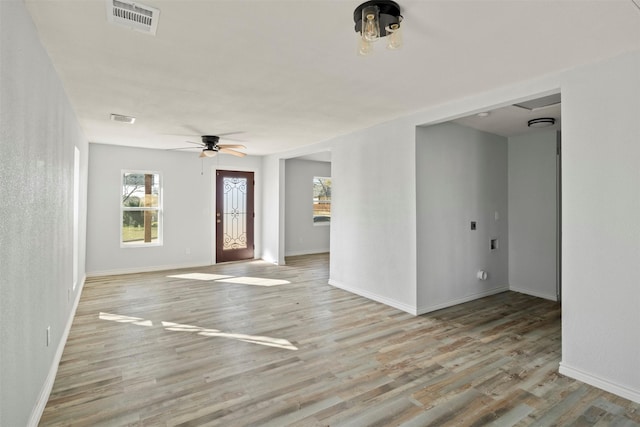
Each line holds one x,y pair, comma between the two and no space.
302,236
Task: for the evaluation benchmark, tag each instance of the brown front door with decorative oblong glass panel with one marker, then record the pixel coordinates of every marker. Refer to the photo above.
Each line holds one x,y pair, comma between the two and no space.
234,215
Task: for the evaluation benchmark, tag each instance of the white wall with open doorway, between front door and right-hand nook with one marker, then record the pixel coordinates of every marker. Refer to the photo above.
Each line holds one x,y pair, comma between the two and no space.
373,212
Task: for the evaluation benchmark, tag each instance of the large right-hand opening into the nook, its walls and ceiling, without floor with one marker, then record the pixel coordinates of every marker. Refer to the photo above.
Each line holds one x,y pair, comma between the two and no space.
489,178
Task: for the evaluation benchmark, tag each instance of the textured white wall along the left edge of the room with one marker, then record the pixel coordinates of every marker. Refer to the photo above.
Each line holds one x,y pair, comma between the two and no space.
38,136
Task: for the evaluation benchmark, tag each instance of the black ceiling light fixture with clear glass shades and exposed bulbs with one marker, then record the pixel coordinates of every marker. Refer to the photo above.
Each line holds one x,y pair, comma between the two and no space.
376,19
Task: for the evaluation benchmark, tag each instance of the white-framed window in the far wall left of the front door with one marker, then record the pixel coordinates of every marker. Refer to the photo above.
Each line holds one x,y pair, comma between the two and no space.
141,209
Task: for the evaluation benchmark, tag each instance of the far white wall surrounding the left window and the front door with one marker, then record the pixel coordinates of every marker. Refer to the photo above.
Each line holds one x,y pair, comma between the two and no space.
188,197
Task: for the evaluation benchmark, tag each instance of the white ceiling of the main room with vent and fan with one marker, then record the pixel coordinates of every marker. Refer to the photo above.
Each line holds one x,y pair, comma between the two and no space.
286,73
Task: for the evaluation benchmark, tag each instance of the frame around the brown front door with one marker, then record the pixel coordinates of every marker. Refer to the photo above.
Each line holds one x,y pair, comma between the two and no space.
212,206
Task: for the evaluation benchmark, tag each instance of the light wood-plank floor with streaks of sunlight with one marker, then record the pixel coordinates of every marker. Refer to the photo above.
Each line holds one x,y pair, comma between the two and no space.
151,350
